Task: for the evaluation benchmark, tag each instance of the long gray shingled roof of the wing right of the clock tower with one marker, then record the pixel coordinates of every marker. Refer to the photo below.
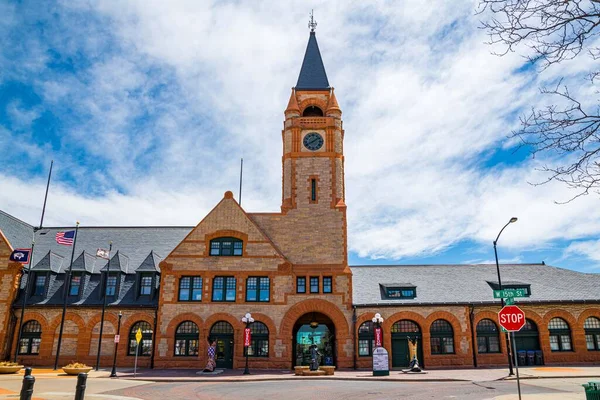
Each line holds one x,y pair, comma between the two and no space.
465,284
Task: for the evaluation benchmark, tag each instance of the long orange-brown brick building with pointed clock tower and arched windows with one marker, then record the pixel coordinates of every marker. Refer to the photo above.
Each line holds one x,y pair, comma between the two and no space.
181,285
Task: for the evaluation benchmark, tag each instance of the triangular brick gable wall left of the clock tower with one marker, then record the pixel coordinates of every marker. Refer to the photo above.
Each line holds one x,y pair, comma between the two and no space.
227,219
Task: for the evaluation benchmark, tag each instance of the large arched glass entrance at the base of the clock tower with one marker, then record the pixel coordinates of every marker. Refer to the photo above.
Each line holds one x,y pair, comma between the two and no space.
318,329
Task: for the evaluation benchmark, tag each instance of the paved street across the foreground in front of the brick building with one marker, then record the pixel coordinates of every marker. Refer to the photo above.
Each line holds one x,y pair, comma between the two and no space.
559,389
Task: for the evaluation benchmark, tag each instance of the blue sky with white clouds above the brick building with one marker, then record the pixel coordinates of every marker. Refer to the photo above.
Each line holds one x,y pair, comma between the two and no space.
147,107
